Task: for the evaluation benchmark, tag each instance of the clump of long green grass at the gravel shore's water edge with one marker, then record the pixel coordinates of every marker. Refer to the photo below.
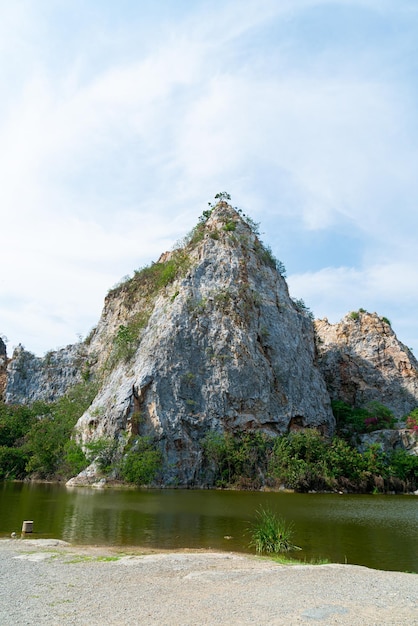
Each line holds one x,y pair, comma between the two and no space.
270,534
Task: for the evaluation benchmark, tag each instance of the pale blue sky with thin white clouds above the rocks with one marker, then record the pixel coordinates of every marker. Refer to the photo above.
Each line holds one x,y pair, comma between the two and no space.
119,121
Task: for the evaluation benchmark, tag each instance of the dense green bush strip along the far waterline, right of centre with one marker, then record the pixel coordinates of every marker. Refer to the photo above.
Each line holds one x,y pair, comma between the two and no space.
304,461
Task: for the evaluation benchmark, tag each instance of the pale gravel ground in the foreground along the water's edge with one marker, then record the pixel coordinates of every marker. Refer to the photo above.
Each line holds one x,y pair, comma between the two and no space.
50,582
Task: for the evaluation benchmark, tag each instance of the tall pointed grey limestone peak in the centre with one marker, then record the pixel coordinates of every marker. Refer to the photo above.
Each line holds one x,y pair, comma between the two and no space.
218,346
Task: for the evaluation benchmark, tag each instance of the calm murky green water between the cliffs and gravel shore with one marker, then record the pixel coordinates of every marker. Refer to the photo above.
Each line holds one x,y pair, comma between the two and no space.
376,531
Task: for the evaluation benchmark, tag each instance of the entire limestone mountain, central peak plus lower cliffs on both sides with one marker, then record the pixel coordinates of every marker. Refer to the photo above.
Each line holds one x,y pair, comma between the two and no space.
207,340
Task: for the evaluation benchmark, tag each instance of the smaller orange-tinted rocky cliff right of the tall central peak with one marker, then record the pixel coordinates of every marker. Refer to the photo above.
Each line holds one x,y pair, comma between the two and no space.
362,360
